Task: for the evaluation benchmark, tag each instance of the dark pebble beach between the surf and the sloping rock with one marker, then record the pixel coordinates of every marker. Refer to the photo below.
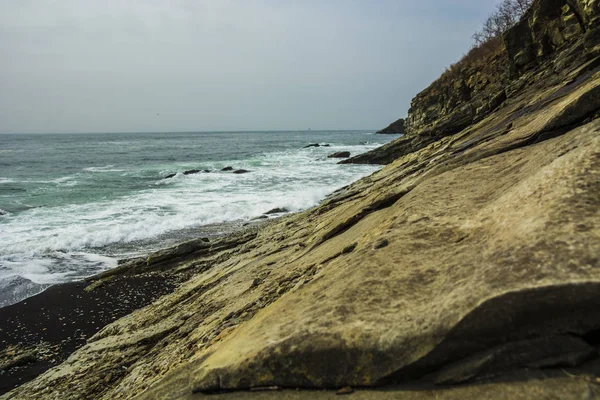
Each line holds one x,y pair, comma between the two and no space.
42,331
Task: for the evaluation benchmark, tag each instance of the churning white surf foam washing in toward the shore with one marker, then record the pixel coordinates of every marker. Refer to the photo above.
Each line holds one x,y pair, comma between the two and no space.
52,244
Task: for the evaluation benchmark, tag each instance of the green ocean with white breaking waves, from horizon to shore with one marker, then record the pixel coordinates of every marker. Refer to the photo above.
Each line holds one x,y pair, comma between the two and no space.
72,205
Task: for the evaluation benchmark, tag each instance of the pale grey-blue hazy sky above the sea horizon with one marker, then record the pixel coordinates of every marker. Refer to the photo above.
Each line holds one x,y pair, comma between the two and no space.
199,65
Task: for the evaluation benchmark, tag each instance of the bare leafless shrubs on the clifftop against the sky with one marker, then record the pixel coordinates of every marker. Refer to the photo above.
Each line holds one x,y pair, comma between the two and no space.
506,15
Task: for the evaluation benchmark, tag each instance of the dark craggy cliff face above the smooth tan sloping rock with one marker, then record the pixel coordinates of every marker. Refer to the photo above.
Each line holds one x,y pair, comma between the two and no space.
552,36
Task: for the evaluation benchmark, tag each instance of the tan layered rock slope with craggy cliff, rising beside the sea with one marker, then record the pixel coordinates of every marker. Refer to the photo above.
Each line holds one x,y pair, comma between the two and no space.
472,259
